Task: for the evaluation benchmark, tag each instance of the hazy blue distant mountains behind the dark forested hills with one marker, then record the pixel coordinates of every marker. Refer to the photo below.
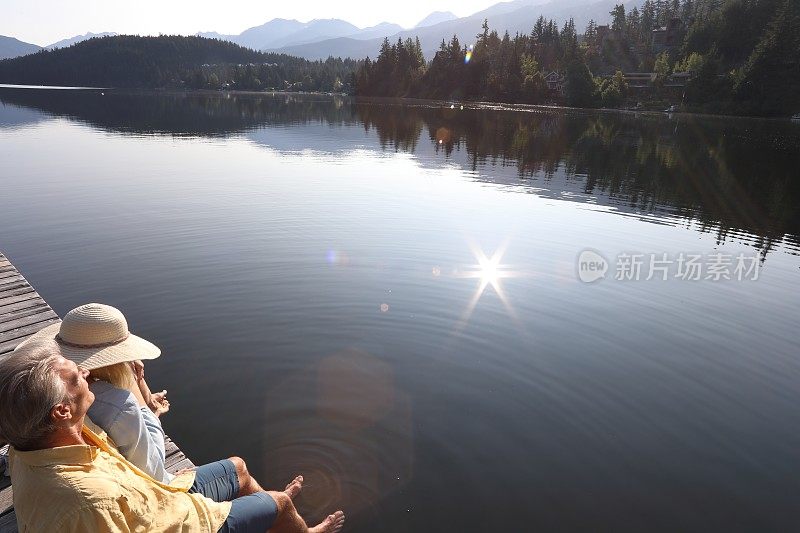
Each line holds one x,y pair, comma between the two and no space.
321,38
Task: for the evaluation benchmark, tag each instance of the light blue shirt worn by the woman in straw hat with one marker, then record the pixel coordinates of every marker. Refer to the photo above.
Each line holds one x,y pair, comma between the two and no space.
134,429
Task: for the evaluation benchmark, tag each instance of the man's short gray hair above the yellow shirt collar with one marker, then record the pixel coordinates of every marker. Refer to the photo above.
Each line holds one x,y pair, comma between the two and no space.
30,386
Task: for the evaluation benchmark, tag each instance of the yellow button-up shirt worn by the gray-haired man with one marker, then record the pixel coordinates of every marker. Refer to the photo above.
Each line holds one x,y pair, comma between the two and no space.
92,488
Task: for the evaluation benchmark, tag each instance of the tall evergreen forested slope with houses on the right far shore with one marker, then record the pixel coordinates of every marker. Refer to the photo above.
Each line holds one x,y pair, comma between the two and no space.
724,56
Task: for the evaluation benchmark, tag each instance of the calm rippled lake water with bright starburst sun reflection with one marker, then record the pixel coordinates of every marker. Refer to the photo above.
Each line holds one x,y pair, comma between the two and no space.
313,270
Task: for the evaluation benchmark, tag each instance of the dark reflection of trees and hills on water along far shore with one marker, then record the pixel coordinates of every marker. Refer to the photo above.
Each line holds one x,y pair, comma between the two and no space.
727,174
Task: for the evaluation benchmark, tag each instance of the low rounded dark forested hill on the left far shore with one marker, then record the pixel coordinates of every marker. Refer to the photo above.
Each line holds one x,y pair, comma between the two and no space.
171,61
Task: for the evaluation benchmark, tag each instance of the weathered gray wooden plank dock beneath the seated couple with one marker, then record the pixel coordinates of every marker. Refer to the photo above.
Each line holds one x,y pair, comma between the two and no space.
22,313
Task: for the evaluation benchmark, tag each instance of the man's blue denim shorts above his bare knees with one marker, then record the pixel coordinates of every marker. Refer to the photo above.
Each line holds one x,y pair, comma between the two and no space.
249,514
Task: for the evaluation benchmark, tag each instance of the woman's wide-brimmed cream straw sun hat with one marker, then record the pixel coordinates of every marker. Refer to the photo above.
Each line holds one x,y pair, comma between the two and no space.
94,336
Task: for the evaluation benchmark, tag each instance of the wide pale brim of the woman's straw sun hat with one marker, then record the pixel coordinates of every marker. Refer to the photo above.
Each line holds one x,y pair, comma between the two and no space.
131,349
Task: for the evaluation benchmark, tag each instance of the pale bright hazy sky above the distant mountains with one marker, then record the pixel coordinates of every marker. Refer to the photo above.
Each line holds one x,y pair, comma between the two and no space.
45,21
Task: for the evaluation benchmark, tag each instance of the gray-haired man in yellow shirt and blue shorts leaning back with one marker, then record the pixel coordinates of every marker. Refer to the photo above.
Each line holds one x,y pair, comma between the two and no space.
68,477
